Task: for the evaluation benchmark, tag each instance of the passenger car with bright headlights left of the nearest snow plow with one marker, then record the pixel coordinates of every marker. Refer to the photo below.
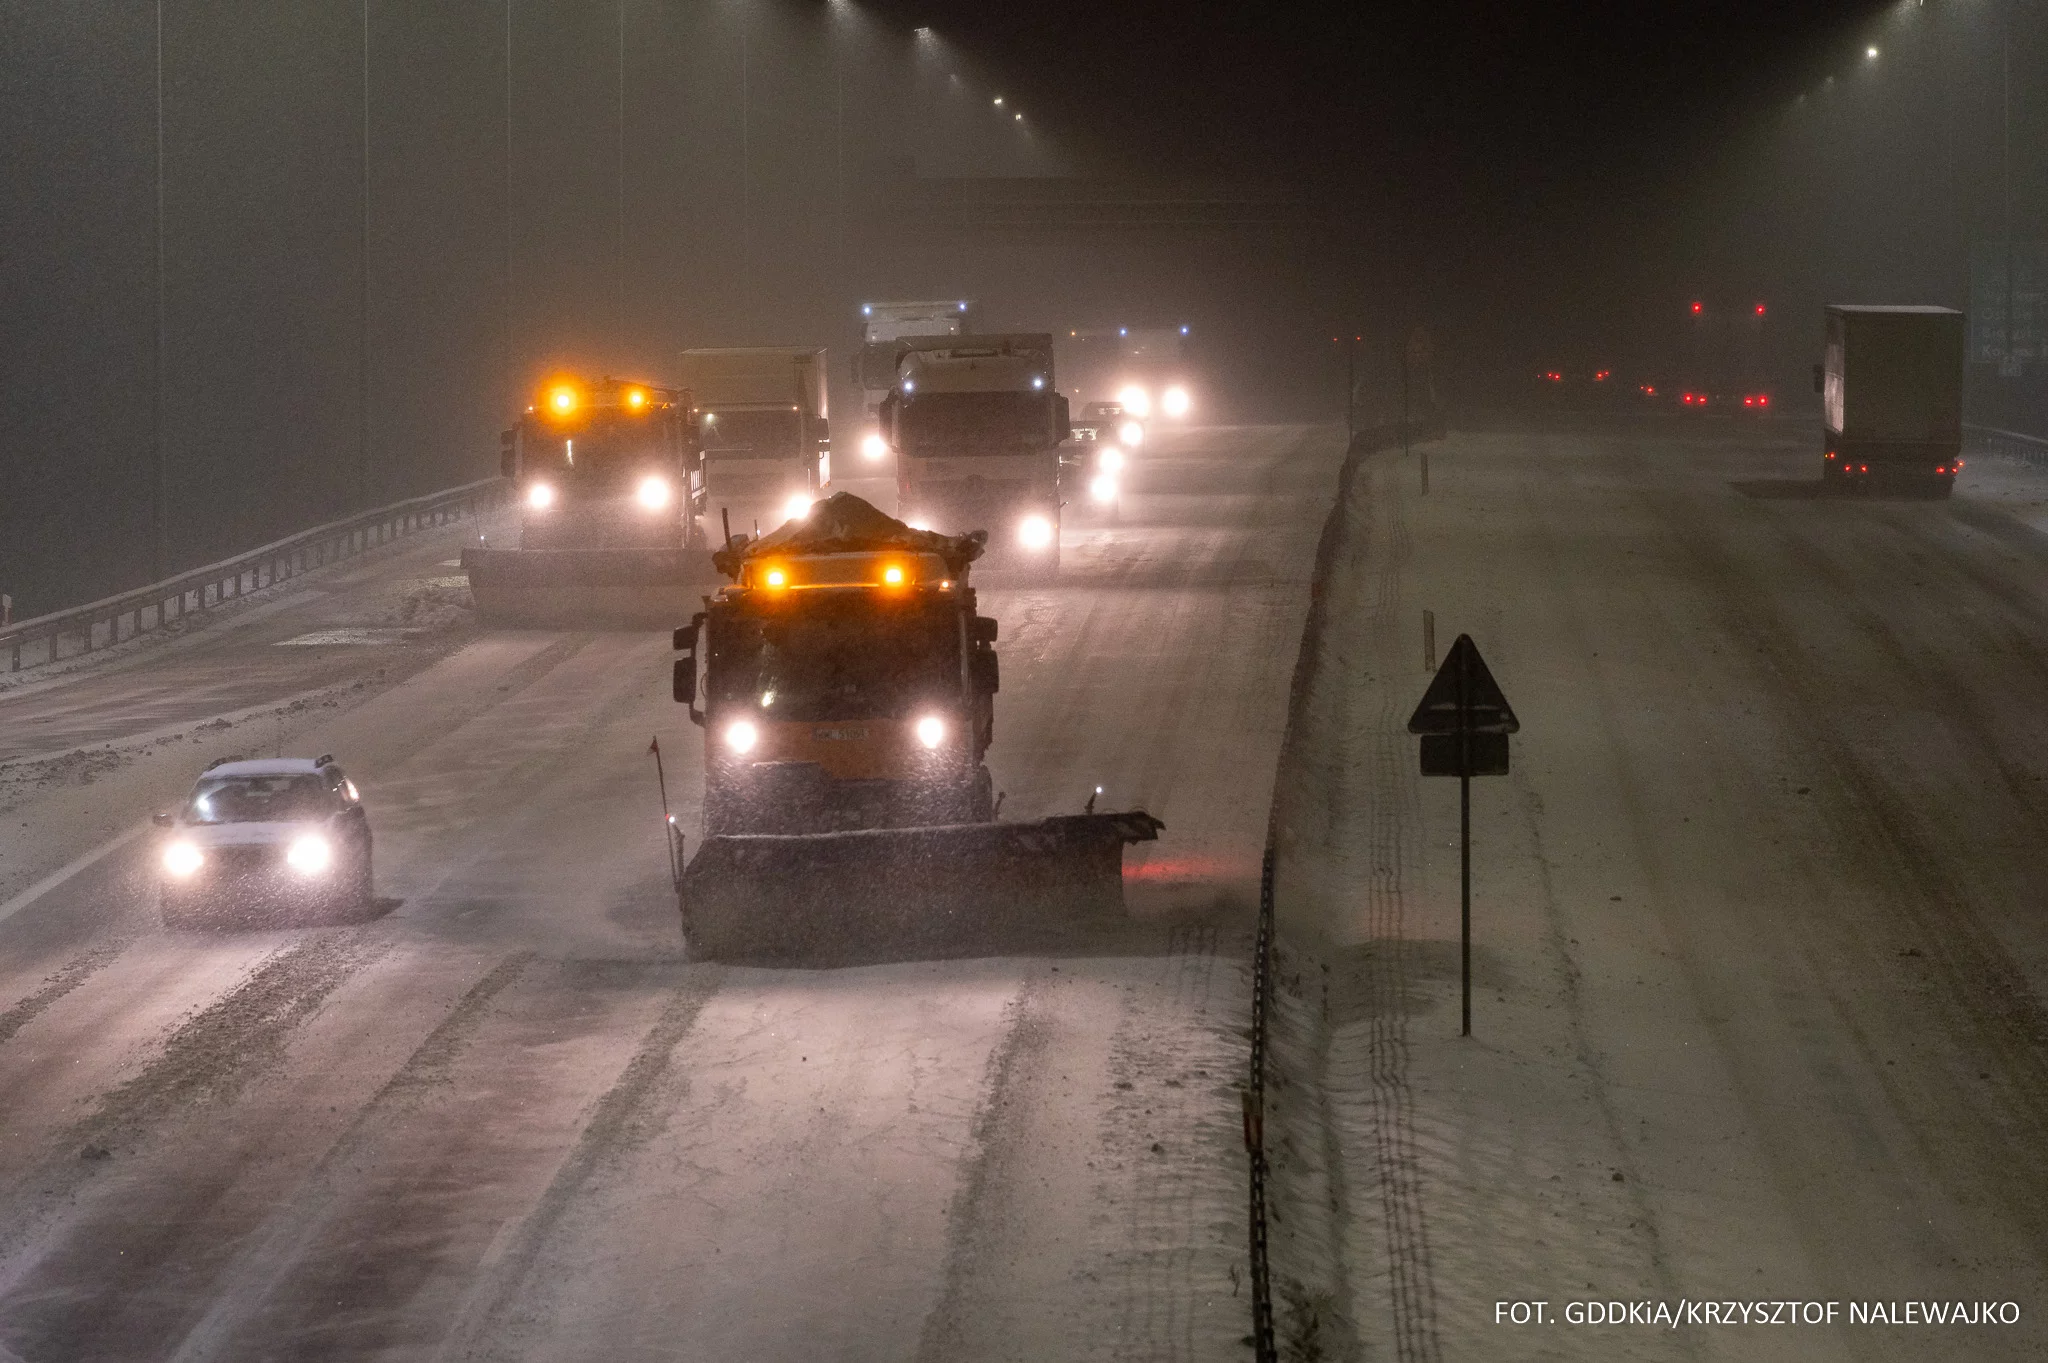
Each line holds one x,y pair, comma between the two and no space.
275,836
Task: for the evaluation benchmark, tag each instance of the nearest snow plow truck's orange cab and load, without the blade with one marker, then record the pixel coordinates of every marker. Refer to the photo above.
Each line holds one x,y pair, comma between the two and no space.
843,678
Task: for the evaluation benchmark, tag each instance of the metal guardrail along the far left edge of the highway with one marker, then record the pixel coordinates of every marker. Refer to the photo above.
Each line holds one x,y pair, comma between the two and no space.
118,619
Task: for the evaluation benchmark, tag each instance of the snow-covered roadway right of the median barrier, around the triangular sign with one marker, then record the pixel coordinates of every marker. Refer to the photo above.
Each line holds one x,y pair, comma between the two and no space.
1760,922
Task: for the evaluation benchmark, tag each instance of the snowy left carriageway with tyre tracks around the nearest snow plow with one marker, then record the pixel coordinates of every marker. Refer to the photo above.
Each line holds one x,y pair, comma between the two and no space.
505,1118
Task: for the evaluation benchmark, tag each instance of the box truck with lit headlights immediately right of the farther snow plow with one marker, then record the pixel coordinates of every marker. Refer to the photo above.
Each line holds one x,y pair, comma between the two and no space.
761,421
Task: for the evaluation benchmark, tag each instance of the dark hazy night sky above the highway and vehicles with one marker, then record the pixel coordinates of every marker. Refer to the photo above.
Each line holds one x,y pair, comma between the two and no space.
1537,185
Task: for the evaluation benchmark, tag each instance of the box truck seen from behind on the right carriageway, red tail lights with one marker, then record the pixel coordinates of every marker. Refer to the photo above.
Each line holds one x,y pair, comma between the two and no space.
1891,396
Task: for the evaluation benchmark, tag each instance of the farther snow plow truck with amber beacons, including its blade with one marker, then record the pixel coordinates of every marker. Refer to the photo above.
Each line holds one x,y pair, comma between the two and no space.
609,484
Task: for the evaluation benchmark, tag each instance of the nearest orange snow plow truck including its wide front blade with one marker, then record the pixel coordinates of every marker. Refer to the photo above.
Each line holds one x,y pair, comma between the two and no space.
847,689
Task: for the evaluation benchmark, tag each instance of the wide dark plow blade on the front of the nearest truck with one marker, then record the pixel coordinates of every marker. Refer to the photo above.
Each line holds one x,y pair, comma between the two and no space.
800,897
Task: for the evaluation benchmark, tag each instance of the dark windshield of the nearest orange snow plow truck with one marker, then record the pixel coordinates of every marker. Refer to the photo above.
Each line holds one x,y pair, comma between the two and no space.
841,660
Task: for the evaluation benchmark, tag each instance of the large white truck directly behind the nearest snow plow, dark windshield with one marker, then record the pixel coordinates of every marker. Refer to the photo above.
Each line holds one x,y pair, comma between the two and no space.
976,425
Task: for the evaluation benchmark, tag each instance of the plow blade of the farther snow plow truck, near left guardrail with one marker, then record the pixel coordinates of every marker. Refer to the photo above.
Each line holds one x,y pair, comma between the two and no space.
587,588
